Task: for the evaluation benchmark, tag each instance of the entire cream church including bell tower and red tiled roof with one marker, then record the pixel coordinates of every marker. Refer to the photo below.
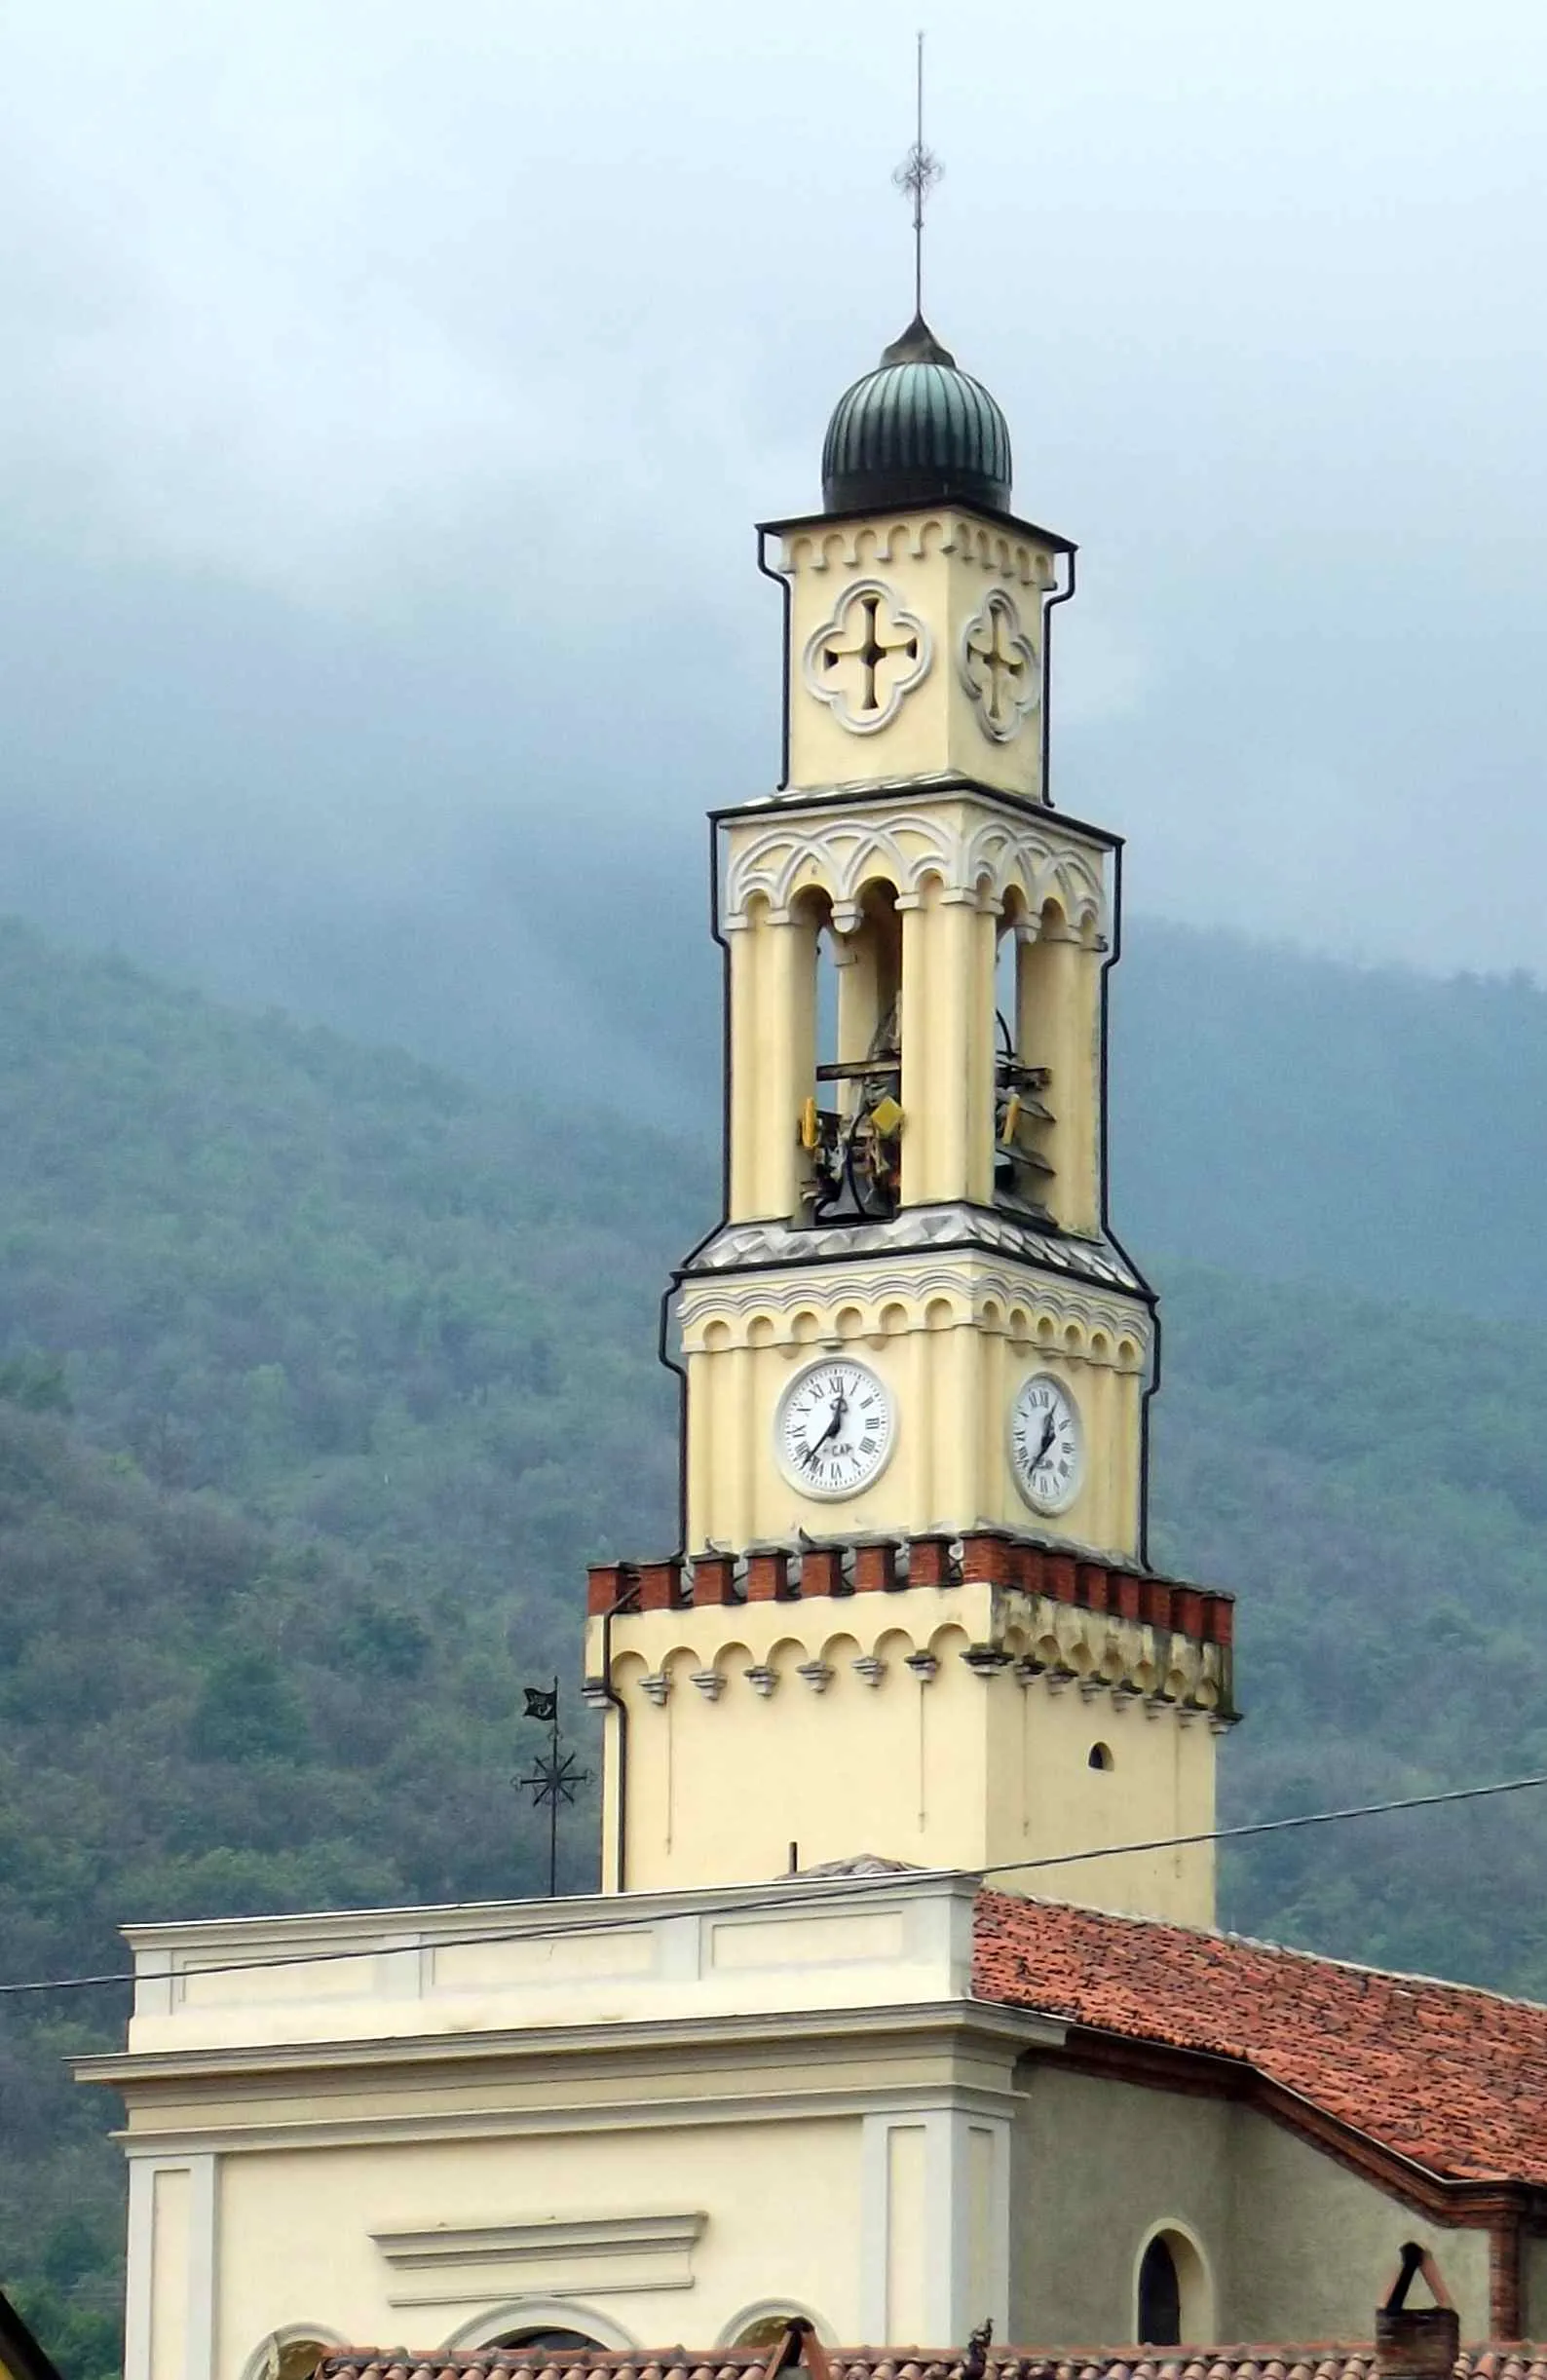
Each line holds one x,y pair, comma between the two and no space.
901,2008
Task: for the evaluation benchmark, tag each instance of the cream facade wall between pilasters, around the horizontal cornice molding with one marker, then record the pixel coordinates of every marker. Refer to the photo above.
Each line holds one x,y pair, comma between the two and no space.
301,2234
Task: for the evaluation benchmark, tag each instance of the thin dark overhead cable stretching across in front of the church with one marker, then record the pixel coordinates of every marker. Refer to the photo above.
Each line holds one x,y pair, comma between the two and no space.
813,1891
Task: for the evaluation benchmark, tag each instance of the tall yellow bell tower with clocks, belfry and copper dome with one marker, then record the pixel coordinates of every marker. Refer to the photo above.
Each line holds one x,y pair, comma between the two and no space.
913,1615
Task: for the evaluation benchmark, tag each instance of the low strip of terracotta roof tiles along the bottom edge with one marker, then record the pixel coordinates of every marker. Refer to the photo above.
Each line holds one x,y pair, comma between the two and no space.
1322,2362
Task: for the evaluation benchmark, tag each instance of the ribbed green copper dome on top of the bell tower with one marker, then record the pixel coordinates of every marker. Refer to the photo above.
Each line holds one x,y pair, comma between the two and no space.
913,432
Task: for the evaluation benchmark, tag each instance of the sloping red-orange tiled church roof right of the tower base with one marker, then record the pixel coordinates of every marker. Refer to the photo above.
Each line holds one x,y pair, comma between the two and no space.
1439,2074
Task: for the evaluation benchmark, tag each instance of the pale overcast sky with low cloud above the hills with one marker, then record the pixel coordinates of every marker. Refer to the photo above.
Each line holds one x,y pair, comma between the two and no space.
353,344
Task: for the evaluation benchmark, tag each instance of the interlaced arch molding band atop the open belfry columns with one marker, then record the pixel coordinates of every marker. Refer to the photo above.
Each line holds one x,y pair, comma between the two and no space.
970,858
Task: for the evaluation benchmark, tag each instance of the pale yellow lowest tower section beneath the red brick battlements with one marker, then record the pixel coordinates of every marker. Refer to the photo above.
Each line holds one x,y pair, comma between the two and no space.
760,1727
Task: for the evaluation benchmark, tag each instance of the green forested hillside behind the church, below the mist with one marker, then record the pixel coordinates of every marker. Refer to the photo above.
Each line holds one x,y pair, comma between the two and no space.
325,1374
